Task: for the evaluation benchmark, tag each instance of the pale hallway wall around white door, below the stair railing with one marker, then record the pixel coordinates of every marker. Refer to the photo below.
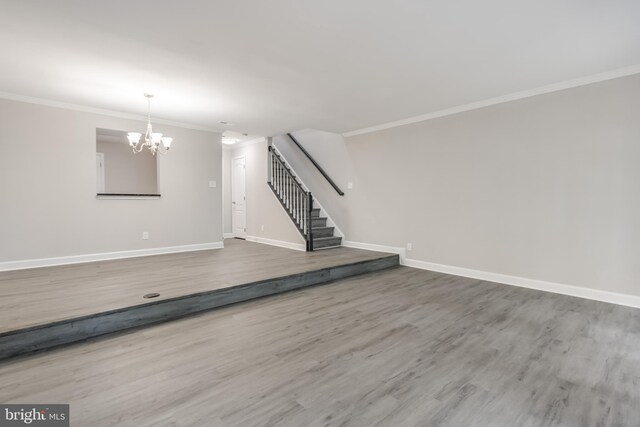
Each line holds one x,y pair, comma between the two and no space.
263,208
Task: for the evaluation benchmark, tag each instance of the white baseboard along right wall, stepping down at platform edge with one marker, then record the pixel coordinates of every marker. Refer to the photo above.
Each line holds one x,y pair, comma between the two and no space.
541,285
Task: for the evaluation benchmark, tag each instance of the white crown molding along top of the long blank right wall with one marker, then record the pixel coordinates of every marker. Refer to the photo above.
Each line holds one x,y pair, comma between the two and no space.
568,84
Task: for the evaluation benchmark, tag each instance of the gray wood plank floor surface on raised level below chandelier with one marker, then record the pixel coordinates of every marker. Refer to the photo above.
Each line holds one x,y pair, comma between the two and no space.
44,295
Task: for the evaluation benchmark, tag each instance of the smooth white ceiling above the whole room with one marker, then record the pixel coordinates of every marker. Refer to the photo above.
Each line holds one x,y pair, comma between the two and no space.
274,66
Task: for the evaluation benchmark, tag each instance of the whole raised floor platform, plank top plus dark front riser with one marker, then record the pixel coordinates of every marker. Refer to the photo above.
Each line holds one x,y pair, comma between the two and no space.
46,307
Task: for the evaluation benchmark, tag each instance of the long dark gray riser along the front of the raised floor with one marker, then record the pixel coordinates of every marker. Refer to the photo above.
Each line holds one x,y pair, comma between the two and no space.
59,333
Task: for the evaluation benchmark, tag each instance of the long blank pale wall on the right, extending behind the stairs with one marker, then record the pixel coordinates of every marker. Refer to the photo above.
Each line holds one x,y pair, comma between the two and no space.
544,188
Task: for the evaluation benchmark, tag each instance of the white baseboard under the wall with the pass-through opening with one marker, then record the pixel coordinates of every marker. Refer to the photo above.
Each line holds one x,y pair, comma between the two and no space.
105,256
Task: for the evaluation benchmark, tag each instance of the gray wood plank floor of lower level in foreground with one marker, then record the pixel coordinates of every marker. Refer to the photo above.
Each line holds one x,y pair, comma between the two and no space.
400,348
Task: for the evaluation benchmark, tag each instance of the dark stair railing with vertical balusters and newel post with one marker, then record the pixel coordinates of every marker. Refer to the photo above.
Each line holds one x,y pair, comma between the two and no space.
292,196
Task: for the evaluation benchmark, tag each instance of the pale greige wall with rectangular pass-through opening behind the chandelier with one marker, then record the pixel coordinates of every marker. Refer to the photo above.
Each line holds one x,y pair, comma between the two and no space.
48,204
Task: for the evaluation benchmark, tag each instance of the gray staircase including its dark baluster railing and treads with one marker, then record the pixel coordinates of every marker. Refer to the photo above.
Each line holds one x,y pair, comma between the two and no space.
300,205
